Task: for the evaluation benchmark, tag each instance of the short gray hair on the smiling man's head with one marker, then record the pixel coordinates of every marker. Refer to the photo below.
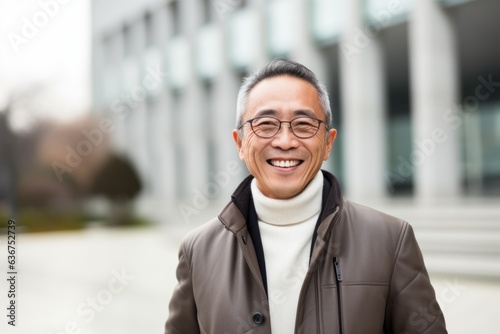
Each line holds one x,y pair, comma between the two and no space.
276,68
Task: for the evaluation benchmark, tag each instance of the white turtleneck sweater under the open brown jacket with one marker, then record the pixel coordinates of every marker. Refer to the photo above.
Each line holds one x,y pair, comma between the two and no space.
286,228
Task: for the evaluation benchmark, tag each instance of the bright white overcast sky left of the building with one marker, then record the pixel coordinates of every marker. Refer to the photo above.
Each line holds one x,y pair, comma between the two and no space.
48,43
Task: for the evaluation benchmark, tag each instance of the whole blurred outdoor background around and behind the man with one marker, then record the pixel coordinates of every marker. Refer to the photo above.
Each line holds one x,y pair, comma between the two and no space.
115,140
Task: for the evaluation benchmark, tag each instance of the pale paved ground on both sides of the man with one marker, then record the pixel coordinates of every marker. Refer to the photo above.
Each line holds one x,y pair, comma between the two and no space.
120,281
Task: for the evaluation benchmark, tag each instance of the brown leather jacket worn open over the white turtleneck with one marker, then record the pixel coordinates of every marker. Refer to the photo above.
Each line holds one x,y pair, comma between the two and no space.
366,275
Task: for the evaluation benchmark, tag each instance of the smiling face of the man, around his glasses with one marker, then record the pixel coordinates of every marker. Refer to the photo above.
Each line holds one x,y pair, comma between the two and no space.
285,98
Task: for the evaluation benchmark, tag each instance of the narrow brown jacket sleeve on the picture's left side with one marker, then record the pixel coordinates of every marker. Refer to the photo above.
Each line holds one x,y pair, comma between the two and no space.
182,317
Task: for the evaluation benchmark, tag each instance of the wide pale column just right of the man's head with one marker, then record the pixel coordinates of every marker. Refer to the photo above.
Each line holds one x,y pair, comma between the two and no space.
363,107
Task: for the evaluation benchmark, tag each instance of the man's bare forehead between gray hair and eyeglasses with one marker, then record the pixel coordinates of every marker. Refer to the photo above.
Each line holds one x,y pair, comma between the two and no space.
284,95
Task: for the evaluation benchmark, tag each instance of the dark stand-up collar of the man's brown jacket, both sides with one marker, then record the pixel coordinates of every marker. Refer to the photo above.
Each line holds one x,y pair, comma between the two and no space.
235,215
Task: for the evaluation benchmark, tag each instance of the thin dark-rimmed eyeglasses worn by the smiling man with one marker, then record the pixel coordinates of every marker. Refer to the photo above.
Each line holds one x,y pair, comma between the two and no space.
268,127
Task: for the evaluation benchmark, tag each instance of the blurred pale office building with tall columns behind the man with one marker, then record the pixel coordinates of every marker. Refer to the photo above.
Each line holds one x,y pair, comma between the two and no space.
414,89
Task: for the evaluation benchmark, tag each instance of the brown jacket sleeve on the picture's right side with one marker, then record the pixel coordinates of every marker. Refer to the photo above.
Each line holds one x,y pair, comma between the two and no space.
412,306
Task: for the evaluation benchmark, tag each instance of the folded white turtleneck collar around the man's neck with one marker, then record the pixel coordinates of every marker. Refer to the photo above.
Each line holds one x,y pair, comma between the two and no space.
289,211
